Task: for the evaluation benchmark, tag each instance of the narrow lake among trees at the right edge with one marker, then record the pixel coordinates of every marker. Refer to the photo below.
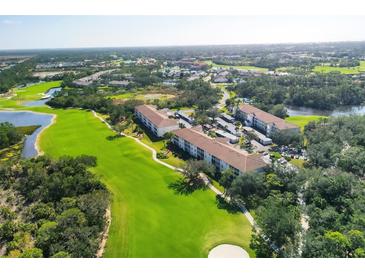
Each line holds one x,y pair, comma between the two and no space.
295,111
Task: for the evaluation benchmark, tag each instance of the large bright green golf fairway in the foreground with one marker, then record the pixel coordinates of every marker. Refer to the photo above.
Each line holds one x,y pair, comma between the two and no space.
148,218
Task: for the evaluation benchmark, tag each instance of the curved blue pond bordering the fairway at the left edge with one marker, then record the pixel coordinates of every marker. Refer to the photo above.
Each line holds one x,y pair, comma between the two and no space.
23,118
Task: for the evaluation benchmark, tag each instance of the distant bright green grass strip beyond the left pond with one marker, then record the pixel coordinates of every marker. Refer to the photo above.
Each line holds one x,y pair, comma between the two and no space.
31,93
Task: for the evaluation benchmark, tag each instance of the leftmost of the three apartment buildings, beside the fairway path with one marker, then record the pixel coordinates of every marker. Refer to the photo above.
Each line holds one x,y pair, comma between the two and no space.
157,121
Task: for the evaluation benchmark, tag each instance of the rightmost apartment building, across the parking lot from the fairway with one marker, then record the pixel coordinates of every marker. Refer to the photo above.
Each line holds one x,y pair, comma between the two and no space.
263,121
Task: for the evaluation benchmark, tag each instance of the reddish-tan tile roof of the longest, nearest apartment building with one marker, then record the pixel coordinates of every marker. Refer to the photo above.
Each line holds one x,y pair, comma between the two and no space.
239,159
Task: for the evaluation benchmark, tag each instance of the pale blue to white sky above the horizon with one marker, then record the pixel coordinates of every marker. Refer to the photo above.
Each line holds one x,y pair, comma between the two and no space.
28,32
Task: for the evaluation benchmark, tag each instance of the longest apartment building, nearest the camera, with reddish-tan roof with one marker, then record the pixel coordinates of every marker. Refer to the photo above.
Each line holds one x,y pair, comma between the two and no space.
216,151
